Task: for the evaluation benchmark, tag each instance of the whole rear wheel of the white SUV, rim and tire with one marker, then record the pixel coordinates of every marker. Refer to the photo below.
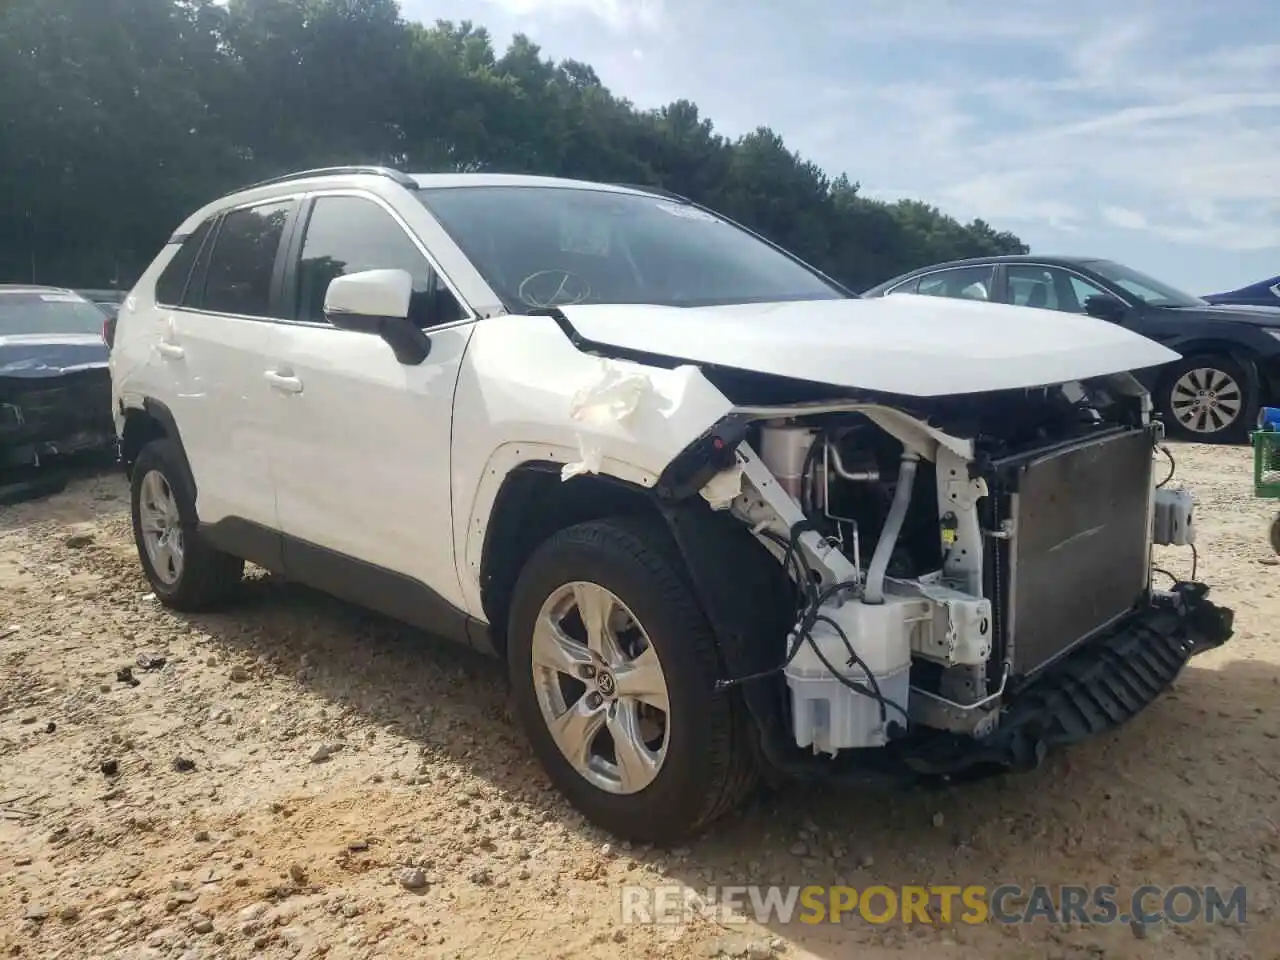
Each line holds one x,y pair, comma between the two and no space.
185,572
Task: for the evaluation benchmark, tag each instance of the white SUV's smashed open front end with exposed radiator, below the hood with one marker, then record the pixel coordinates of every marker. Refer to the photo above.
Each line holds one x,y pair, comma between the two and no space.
970,579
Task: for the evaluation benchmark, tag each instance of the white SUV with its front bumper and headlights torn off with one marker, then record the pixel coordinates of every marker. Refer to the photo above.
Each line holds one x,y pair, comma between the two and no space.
720,516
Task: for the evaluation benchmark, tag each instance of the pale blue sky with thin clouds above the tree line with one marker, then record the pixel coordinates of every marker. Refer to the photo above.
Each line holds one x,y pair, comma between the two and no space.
1146,132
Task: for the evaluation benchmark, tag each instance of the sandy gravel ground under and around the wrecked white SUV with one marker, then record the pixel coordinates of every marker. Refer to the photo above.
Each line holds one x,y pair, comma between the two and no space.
296,779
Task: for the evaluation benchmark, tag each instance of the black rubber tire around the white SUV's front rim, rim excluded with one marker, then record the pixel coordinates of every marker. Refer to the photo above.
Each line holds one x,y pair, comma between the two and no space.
710,766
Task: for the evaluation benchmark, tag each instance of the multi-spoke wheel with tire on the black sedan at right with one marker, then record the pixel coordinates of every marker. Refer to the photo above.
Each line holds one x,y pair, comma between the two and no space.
1208,400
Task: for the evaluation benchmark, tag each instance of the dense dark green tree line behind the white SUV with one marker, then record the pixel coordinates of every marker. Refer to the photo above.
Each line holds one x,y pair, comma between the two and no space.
121,117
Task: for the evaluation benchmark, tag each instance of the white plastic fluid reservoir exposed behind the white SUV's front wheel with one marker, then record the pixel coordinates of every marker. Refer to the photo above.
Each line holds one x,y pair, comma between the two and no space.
828,716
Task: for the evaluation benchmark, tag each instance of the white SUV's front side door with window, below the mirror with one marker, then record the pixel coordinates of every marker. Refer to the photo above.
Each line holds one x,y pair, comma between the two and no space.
362,456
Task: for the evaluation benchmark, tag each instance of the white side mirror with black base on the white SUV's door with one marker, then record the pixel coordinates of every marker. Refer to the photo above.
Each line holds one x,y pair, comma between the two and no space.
378,303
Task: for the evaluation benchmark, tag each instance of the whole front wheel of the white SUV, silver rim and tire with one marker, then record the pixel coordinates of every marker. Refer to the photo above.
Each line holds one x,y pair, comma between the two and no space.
612,668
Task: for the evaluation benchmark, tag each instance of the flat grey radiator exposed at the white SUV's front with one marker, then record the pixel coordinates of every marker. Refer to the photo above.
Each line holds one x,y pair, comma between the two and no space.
1078,559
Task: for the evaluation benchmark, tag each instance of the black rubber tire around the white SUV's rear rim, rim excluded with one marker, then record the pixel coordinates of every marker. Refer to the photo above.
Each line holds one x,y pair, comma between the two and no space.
208,577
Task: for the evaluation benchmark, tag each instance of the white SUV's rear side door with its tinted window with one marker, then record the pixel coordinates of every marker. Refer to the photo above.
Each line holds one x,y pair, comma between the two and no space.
212,344
